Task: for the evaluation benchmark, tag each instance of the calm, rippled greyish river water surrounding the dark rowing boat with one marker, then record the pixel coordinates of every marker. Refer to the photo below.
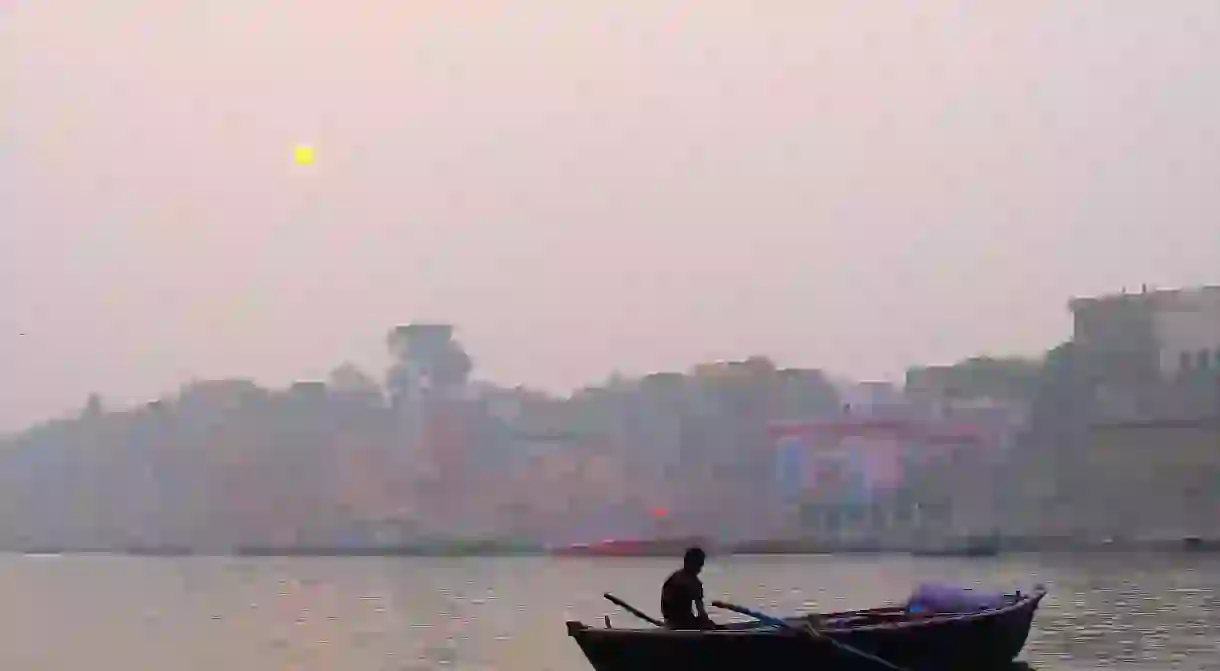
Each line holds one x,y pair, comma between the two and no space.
115,613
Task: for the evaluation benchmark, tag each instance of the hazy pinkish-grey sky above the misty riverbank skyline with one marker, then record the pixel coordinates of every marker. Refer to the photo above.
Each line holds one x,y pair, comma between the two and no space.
583,186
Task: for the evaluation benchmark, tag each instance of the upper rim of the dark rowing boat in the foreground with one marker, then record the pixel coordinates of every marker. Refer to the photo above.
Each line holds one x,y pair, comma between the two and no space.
1027,601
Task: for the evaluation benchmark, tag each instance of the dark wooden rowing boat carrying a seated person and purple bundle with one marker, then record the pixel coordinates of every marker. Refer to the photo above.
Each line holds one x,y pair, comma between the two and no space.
975,641
